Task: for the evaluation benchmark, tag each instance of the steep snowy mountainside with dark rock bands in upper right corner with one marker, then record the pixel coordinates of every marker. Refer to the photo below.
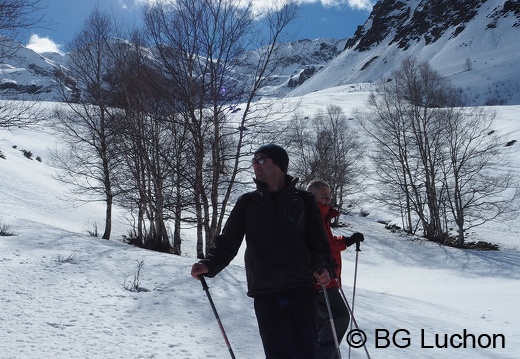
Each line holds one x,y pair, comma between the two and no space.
473,43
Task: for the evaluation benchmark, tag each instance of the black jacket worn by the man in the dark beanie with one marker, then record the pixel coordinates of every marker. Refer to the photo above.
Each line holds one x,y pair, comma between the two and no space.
285,239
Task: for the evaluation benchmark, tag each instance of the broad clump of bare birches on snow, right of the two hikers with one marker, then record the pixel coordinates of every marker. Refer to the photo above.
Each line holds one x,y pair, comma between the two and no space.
431,156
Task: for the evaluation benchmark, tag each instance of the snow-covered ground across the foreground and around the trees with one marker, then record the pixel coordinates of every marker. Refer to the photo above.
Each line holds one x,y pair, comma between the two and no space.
67,295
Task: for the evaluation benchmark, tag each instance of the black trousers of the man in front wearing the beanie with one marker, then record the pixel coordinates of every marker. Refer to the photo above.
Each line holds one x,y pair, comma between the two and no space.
287,323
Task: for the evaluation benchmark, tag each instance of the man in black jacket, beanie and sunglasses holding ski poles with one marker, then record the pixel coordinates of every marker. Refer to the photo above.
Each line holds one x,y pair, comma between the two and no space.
287,252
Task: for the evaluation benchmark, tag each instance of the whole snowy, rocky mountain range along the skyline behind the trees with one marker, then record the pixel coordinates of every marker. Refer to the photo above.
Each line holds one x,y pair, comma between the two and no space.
473,43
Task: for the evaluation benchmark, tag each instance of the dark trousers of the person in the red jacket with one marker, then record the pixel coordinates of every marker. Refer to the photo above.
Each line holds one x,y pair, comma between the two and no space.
326,345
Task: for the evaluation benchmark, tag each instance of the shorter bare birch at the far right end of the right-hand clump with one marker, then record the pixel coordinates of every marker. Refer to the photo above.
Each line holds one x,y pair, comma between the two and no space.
478,189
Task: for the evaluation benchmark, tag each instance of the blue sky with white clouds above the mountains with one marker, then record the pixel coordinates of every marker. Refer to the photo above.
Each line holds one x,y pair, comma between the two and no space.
318,19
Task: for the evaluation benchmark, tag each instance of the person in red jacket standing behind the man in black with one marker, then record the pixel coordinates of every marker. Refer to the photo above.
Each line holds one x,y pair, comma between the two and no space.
340,315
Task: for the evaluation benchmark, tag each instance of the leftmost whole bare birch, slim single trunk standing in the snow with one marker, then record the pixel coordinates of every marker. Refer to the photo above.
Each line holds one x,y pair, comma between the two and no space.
88,160
